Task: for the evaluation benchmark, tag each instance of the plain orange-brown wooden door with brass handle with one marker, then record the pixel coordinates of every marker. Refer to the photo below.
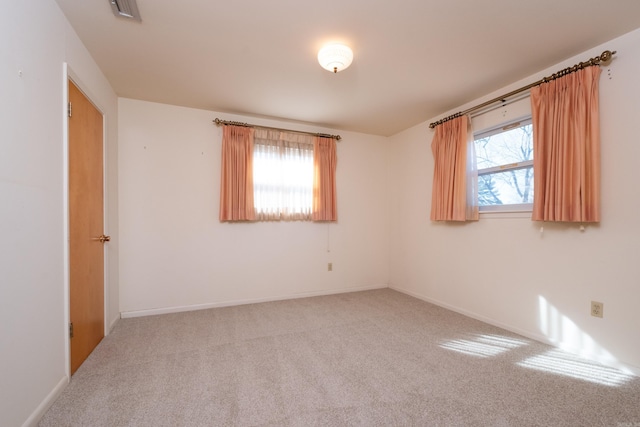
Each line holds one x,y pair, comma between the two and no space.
86,227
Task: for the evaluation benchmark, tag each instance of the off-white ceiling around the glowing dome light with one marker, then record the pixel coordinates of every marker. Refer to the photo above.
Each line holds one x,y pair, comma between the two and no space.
413,59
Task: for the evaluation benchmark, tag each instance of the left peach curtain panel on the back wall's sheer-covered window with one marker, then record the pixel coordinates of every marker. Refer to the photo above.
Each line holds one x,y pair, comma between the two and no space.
236,184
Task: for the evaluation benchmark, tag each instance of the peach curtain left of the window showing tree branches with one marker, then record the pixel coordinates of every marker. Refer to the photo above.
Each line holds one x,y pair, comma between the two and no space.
454,193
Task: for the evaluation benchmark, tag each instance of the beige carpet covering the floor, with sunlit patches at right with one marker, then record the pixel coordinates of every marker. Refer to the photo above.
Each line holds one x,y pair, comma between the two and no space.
374,358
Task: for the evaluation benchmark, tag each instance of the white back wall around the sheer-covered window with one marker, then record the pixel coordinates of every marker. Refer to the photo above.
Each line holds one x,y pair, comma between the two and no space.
176,255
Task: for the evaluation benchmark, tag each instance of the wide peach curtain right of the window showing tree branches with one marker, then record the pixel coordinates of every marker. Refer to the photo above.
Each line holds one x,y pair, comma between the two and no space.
566,138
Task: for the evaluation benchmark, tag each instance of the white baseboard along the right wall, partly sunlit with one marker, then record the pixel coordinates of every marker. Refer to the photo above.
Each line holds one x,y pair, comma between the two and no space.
534,336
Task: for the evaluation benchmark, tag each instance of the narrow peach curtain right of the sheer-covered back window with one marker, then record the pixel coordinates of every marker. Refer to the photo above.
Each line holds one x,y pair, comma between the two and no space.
325,159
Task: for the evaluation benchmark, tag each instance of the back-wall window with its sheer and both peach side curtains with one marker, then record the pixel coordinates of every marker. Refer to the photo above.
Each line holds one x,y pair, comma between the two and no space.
272,175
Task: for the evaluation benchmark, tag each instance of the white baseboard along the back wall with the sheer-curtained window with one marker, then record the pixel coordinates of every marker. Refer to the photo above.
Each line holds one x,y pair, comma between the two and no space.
178,309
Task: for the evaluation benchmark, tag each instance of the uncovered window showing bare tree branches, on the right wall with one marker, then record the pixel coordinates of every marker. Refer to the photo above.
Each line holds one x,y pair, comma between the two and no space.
504,158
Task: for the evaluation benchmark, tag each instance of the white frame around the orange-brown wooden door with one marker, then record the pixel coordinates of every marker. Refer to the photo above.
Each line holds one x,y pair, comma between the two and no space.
69,74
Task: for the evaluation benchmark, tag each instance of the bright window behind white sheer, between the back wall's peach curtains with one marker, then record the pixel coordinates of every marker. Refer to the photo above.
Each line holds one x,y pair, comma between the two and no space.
282,176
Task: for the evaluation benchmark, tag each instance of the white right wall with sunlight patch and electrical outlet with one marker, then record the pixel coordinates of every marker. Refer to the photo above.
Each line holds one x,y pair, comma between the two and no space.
503,270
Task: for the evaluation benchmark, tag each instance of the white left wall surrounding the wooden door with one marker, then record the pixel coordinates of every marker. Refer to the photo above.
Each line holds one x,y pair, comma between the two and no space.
35,42
